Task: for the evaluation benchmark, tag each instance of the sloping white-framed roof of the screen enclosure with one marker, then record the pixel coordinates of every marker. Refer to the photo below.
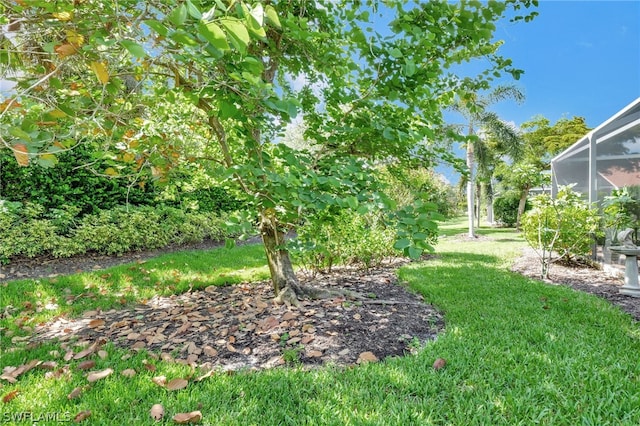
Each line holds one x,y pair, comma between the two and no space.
626,119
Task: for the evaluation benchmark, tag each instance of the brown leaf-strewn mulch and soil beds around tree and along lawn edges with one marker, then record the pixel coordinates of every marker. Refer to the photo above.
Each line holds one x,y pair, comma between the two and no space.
238,327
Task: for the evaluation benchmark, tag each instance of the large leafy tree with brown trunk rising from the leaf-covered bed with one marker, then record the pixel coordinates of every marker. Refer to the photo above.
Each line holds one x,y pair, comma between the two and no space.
103,72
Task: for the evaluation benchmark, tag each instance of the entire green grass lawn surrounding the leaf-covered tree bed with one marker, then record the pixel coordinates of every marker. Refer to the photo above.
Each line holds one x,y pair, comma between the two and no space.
518,351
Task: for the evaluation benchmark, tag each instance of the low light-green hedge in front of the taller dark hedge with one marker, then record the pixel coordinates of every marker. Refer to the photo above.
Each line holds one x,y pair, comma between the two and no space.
28,230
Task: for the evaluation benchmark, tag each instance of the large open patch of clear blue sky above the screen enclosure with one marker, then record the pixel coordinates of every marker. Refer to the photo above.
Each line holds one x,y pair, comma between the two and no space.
581,58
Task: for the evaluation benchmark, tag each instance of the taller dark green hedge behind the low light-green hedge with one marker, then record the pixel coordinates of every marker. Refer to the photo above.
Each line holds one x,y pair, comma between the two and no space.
71,184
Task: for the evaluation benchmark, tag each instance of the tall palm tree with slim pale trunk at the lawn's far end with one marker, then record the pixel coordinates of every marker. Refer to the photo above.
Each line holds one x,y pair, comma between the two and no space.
483,125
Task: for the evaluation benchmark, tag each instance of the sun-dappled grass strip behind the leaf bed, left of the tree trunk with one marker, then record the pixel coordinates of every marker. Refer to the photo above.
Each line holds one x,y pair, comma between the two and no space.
39,300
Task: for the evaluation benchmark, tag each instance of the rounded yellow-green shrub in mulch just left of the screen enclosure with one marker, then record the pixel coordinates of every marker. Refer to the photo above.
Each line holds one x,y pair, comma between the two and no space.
564,227
